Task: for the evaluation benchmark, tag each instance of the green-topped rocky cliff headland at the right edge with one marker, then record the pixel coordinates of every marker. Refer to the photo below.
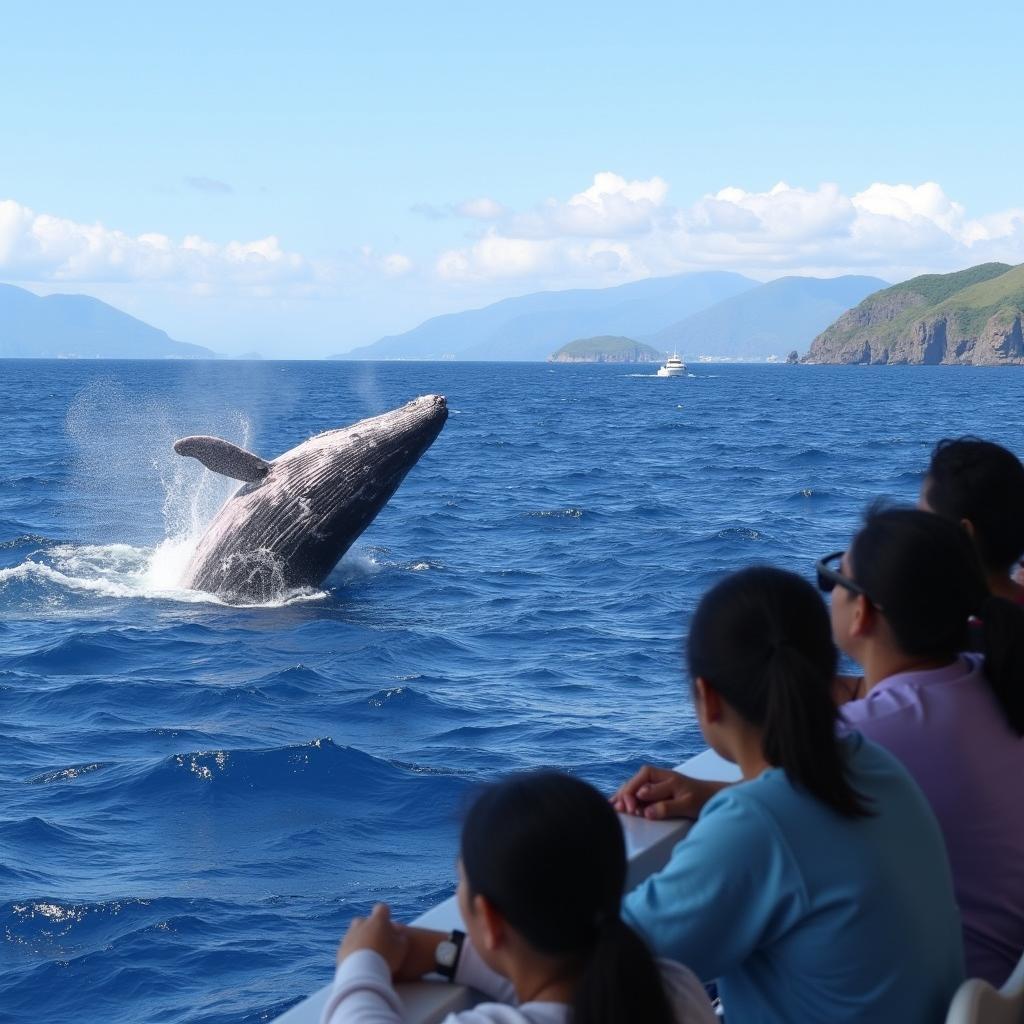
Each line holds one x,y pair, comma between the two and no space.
972,317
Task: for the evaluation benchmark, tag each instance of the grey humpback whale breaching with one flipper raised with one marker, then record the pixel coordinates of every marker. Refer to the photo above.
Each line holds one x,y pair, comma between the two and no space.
295,517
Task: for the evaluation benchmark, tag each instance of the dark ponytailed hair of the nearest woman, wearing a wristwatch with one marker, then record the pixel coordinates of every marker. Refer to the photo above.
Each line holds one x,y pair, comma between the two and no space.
547,851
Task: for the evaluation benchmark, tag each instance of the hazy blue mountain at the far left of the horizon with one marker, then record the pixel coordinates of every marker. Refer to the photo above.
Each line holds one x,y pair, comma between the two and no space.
80,327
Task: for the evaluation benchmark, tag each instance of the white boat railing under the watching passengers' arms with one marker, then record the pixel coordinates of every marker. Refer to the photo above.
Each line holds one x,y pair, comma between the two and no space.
649,845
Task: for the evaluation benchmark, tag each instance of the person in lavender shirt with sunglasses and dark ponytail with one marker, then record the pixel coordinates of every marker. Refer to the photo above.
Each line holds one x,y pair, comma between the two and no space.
909,601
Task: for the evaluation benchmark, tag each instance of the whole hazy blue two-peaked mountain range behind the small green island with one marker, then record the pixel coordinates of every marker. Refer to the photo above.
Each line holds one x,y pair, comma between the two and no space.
700,315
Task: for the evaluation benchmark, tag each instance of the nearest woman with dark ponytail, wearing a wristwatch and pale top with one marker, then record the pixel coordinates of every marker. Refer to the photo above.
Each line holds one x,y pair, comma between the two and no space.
541,877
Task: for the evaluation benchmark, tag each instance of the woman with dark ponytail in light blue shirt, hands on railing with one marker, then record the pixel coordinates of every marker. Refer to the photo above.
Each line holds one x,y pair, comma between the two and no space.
819,888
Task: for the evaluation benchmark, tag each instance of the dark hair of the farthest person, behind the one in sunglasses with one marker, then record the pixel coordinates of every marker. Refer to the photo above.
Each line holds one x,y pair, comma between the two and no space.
969,479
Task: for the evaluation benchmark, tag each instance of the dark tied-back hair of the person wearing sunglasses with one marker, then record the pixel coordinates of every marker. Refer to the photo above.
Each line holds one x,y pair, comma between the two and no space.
926,574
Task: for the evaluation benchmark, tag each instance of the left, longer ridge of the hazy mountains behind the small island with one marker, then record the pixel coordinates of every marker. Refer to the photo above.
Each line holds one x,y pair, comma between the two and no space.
532,327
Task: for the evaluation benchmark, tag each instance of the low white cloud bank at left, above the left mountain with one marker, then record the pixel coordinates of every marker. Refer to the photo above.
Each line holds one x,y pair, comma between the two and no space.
45,248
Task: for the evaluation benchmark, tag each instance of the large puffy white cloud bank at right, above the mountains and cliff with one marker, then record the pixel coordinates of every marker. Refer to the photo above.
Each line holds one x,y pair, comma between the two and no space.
618,231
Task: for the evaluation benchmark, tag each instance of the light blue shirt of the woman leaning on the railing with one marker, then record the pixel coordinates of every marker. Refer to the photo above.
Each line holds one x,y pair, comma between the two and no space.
803,915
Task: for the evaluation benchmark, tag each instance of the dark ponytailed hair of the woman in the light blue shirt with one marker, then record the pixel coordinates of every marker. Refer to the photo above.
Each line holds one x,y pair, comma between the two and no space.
762,638
